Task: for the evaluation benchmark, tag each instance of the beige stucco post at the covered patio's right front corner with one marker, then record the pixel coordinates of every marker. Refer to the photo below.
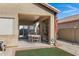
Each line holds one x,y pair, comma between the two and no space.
51,31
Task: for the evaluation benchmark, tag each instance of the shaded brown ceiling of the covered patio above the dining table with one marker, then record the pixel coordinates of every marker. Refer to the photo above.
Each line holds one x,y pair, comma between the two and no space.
30,19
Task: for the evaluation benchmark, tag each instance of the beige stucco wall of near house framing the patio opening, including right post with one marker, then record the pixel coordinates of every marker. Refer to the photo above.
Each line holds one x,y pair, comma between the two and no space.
12,10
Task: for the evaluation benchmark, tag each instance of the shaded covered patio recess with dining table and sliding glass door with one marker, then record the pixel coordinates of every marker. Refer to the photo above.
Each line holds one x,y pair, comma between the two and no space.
33,28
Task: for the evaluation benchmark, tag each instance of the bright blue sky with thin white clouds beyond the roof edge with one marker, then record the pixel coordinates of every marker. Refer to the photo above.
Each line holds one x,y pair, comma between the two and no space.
66,9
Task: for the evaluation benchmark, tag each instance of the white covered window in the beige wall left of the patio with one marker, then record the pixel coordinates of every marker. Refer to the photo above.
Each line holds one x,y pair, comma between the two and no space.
6,26
